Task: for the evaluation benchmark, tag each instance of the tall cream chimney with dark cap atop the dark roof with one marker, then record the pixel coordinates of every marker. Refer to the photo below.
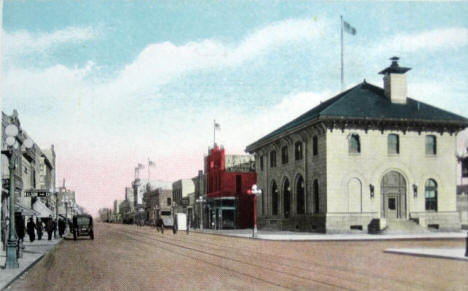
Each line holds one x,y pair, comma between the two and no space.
395,86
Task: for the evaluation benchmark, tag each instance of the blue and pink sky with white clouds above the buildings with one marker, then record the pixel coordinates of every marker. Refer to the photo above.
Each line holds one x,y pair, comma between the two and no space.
114,83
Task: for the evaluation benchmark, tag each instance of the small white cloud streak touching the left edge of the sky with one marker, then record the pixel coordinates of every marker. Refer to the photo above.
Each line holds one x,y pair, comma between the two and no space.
22,42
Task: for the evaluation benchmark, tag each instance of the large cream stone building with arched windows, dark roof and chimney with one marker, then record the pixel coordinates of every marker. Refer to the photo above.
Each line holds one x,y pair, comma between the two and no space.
369,154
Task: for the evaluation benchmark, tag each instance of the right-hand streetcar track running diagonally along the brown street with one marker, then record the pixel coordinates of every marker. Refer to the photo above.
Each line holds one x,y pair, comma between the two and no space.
345,271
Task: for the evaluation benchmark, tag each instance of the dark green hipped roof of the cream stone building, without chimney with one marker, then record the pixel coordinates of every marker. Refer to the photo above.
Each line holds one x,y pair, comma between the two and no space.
366,101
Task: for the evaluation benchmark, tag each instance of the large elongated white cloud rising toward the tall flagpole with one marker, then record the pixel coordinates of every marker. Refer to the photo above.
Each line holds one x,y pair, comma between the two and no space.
162,62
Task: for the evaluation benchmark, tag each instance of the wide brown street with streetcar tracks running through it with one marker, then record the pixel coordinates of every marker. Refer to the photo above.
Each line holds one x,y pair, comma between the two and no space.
127,257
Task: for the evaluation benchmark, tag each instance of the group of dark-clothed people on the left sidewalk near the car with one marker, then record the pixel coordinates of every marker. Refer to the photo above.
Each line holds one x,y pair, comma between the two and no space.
49,225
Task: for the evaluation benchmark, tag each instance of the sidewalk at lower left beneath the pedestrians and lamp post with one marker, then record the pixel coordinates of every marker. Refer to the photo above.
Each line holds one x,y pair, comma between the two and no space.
32,253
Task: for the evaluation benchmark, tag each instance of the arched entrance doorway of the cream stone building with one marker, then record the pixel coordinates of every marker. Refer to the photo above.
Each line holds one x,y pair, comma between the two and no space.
393,196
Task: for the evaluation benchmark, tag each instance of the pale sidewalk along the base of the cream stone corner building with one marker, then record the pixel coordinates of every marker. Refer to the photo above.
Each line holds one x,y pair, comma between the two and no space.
305,236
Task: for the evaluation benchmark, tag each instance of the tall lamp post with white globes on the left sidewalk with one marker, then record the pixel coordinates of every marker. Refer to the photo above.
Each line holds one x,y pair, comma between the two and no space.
12,132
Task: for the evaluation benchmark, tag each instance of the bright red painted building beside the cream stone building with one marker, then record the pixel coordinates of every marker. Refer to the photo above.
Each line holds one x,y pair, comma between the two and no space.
228,180
